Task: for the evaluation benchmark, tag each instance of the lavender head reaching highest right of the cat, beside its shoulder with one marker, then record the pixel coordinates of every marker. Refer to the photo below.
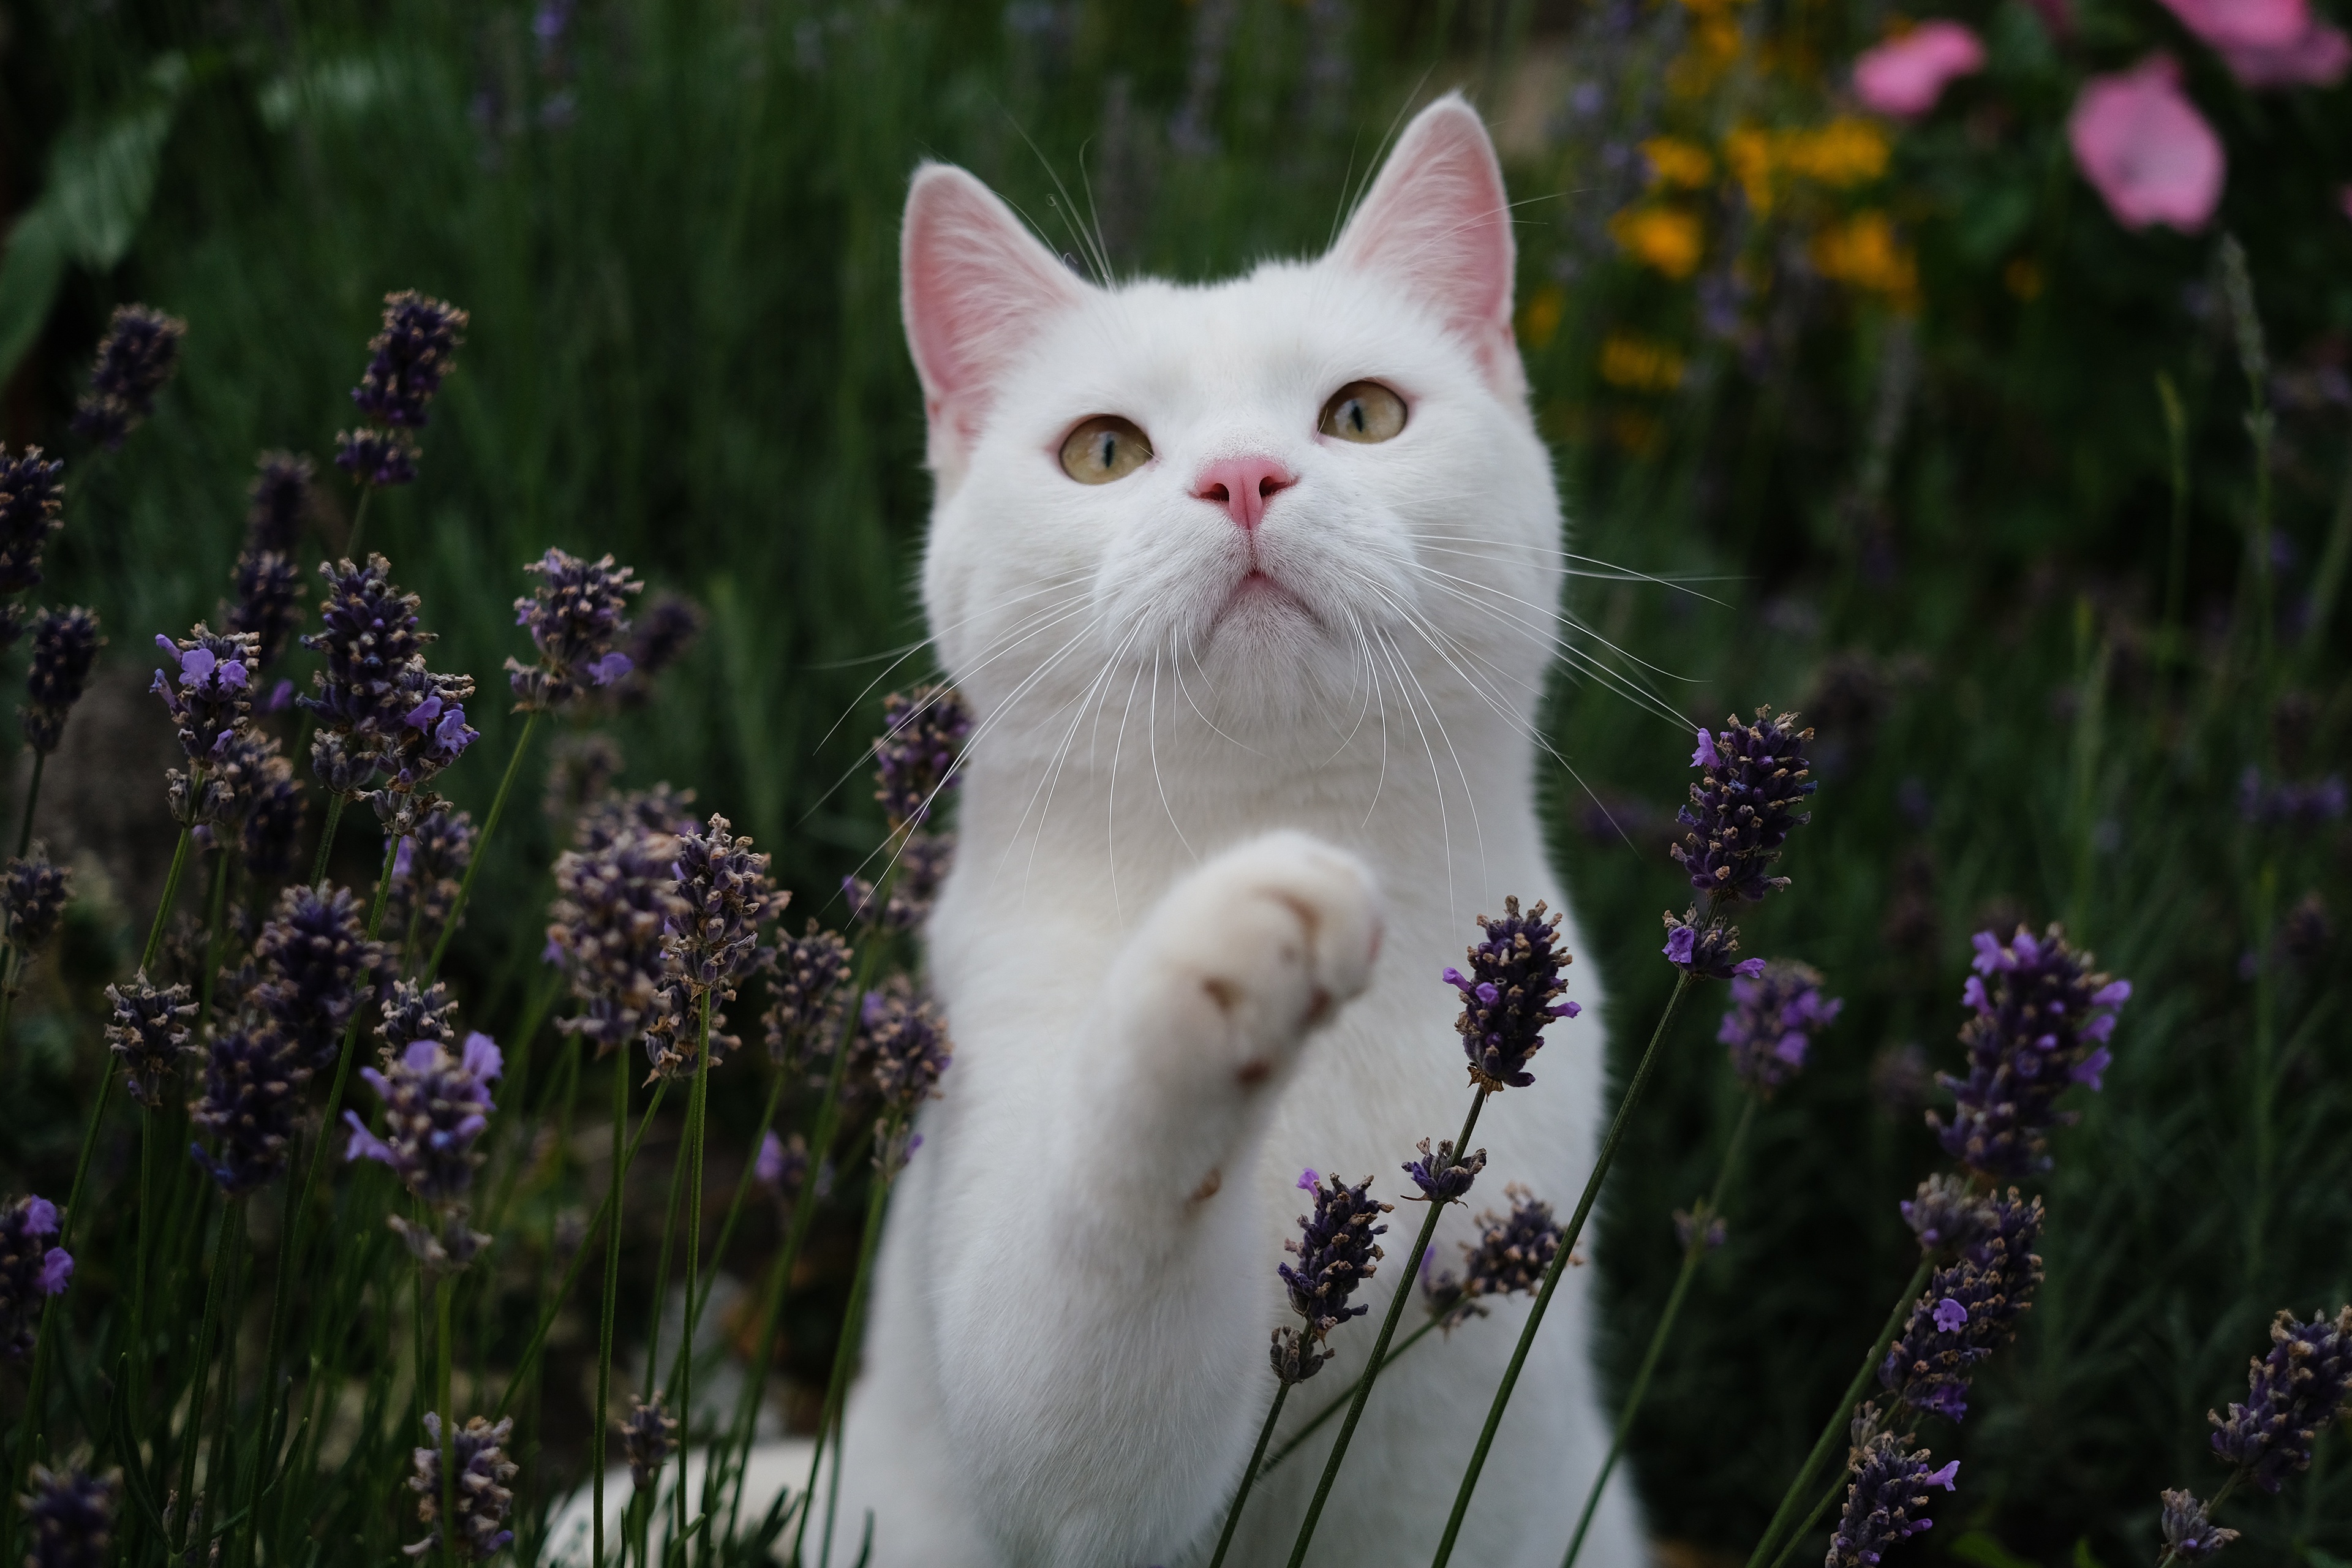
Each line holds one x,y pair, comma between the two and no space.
1744,805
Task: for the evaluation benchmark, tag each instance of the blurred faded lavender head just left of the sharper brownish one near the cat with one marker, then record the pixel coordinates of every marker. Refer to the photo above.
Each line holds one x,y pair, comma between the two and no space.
610,911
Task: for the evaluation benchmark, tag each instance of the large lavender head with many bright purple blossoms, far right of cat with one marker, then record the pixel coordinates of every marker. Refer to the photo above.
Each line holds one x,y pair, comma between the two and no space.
2043,1024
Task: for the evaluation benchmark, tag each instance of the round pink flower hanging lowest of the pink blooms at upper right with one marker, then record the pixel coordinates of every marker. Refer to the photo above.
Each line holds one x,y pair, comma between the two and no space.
2146,149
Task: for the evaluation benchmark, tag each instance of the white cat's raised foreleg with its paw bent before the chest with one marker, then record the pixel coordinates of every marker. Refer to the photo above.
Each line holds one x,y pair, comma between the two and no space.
1111,1372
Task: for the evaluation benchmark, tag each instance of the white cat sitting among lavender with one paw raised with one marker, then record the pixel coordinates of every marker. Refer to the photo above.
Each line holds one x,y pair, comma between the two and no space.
1252,591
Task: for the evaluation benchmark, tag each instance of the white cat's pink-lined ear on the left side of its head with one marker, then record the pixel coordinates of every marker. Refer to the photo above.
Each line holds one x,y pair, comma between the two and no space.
975,288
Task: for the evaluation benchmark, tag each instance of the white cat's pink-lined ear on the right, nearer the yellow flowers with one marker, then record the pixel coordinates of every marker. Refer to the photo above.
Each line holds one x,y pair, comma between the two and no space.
1441,225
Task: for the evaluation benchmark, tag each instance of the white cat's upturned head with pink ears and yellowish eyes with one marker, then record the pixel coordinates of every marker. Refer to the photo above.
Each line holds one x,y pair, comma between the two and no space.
1297,490
